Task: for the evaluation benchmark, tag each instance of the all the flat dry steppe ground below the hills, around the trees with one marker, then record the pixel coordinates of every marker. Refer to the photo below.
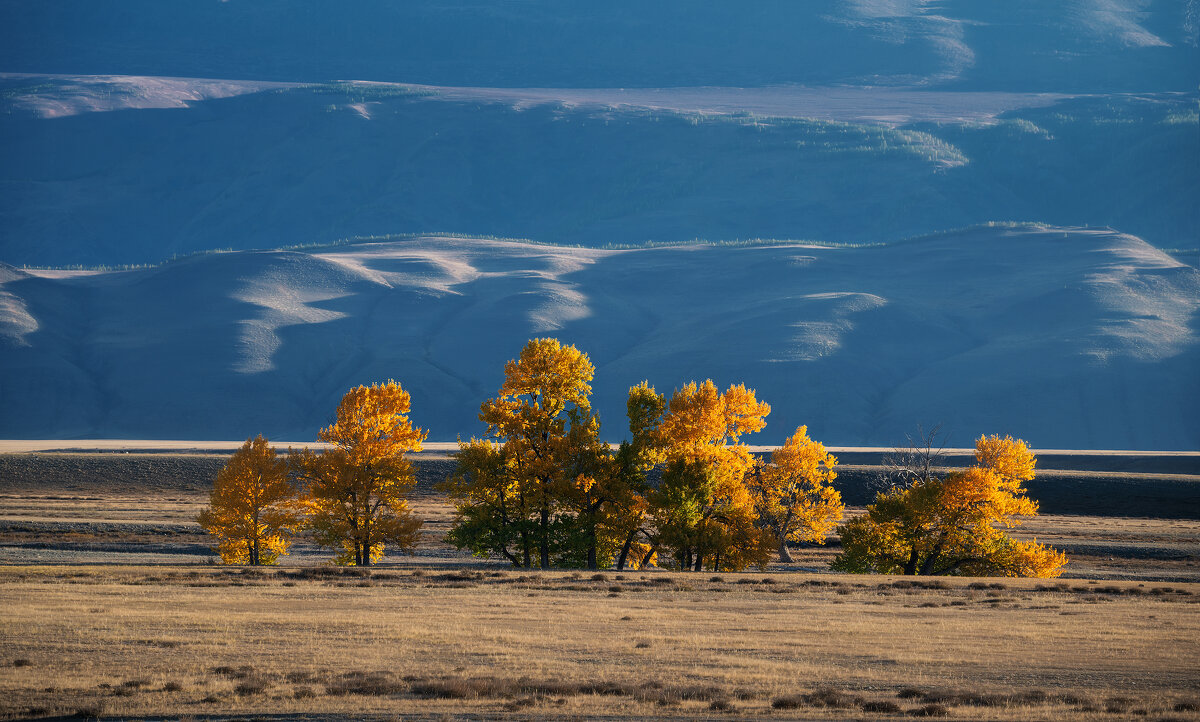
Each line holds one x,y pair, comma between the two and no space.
112,607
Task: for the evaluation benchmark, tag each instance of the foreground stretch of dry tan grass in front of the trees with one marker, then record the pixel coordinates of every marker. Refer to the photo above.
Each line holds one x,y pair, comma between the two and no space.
422,642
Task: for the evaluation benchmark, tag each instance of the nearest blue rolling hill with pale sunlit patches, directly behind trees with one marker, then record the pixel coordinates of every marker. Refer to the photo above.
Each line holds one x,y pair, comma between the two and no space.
1065,338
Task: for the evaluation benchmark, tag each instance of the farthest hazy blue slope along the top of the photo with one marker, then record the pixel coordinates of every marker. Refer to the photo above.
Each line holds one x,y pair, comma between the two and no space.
1089,46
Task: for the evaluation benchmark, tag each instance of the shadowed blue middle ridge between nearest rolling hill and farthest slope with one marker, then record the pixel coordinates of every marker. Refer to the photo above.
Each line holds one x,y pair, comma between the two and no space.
131,170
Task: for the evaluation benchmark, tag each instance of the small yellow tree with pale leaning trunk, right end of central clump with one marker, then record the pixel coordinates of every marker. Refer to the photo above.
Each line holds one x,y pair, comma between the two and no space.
793,494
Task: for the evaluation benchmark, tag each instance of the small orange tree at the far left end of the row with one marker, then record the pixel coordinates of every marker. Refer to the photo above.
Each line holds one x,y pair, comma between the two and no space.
253,509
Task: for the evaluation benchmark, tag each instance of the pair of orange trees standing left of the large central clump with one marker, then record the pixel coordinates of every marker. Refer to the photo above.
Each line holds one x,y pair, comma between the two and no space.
352,496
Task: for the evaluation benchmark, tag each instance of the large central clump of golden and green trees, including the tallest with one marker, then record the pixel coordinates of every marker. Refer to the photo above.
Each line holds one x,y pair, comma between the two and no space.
545,491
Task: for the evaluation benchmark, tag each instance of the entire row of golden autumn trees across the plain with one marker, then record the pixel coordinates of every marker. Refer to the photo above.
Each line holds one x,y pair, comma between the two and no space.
683,491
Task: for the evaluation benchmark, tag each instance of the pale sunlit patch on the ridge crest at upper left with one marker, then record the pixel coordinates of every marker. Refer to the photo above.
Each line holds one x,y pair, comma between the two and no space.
59,97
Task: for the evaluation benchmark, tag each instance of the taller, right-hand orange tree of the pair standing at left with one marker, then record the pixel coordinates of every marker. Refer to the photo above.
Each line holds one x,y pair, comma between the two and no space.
357,490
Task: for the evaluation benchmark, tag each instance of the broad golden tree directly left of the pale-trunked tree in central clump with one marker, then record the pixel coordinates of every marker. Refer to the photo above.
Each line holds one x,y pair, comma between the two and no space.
704,513
